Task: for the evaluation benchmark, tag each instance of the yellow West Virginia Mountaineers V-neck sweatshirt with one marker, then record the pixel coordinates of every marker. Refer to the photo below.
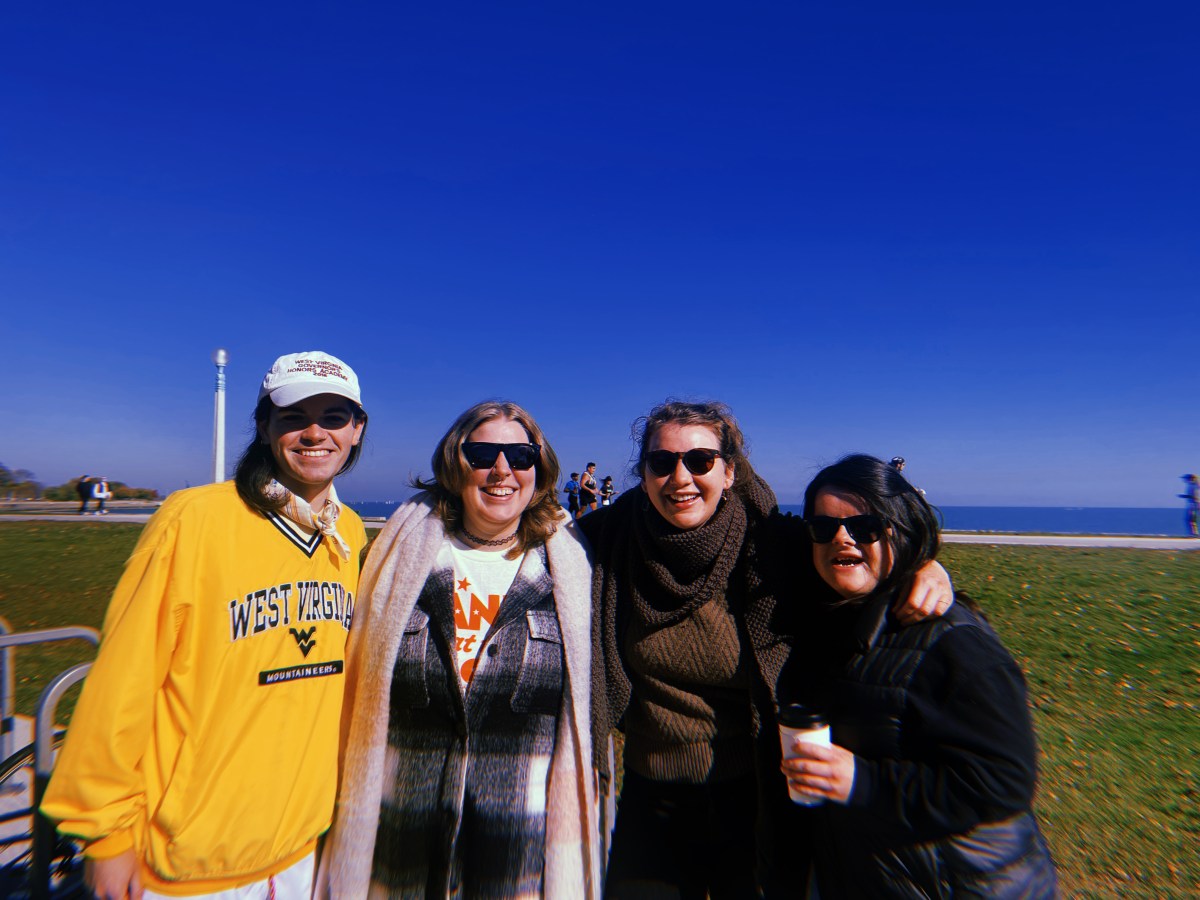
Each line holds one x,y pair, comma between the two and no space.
207,734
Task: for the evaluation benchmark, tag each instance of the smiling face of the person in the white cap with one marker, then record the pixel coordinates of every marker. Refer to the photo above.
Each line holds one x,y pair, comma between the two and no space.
311,442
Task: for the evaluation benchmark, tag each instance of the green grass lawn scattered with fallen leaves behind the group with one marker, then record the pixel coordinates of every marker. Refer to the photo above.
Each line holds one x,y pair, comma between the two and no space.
1109,640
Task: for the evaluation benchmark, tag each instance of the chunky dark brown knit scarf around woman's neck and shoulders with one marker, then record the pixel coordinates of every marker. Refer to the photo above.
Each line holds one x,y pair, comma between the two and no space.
649,569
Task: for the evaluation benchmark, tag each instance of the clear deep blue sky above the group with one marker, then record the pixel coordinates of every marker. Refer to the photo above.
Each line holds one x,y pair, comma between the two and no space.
967,235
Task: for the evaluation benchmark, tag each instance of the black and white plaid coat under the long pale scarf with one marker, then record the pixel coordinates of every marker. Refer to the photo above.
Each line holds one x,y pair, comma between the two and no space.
466,811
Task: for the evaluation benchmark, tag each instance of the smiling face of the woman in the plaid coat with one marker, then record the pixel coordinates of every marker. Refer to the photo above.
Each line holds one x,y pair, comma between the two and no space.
494,500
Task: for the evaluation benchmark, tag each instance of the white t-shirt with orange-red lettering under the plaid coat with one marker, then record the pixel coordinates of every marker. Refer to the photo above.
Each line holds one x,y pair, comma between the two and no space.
482,579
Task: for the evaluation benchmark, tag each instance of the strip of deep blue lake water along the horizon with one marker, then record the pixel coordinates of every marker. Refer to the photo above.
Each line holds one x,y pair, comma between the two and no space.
1019,520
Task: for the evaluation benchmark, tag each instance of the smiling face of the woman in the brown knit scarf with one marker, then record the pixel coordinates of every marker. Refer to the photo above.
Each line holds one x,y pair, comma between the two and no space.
685,500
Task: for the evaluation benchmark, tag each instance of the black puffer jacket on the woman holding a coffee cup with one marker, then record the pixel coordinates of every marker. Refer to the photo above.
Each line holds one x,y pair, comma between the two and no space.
946,763
